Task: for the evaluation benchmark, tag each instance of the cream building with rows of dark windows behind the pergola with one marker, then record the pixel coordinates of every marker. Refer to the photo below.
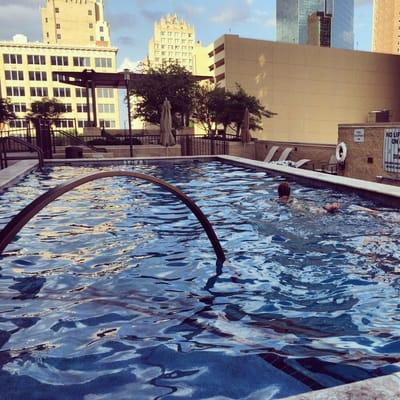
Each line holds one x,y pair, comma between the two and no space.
27,74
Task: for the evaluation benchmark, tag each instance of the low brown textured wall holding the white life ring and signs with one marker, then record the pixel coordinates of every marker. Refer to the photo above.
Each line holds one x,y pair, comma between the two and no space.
365,160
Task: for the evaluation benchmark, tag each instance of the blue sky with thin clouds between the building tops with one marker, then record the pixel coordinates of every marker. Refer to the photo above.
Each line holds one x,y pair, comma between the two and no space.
132,21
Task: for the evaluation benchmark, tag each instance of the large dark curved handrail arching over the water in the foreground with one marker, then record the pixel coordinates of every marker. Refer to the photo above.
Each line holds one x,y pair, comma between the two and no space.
23,217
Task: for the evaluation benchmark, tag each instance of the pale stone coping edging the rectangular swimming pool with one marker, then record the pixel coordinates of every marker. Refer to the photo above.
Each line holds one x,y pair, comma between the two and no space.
382,388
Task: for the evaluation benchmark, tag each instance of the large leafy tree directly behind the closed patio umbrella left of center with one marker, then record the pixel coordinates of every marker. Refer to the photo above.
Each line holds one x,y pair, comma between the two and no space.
168,81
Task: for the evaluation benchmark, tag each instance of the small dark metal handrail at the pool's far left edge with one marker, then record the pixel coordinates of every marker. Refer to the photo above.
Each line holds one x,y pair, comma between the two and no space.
14,145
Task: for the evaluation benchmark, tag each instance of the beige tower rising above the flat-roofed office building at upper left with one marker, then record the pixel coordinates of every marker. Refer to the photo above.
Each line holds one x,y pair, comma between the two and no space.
72,22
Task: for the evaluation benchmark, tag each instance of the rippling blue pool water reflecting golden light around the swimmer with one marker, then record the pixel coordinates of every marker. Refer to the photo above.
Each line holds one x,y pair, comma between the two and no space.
114,290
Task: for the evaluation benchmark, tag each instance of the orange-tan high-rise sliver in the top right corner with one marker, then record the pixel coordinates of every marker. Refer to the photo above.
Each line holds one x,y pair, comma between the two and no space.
386,26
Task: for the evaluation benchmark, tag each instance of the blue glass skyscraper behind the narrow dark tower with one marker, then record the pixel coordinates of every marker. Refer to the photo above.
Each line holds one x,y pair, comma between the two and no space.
292,20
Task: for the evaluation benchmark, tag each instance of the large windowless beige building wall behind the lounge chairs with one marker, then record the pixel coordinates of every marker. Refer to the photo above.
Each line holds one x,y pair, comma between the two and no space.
313,89
